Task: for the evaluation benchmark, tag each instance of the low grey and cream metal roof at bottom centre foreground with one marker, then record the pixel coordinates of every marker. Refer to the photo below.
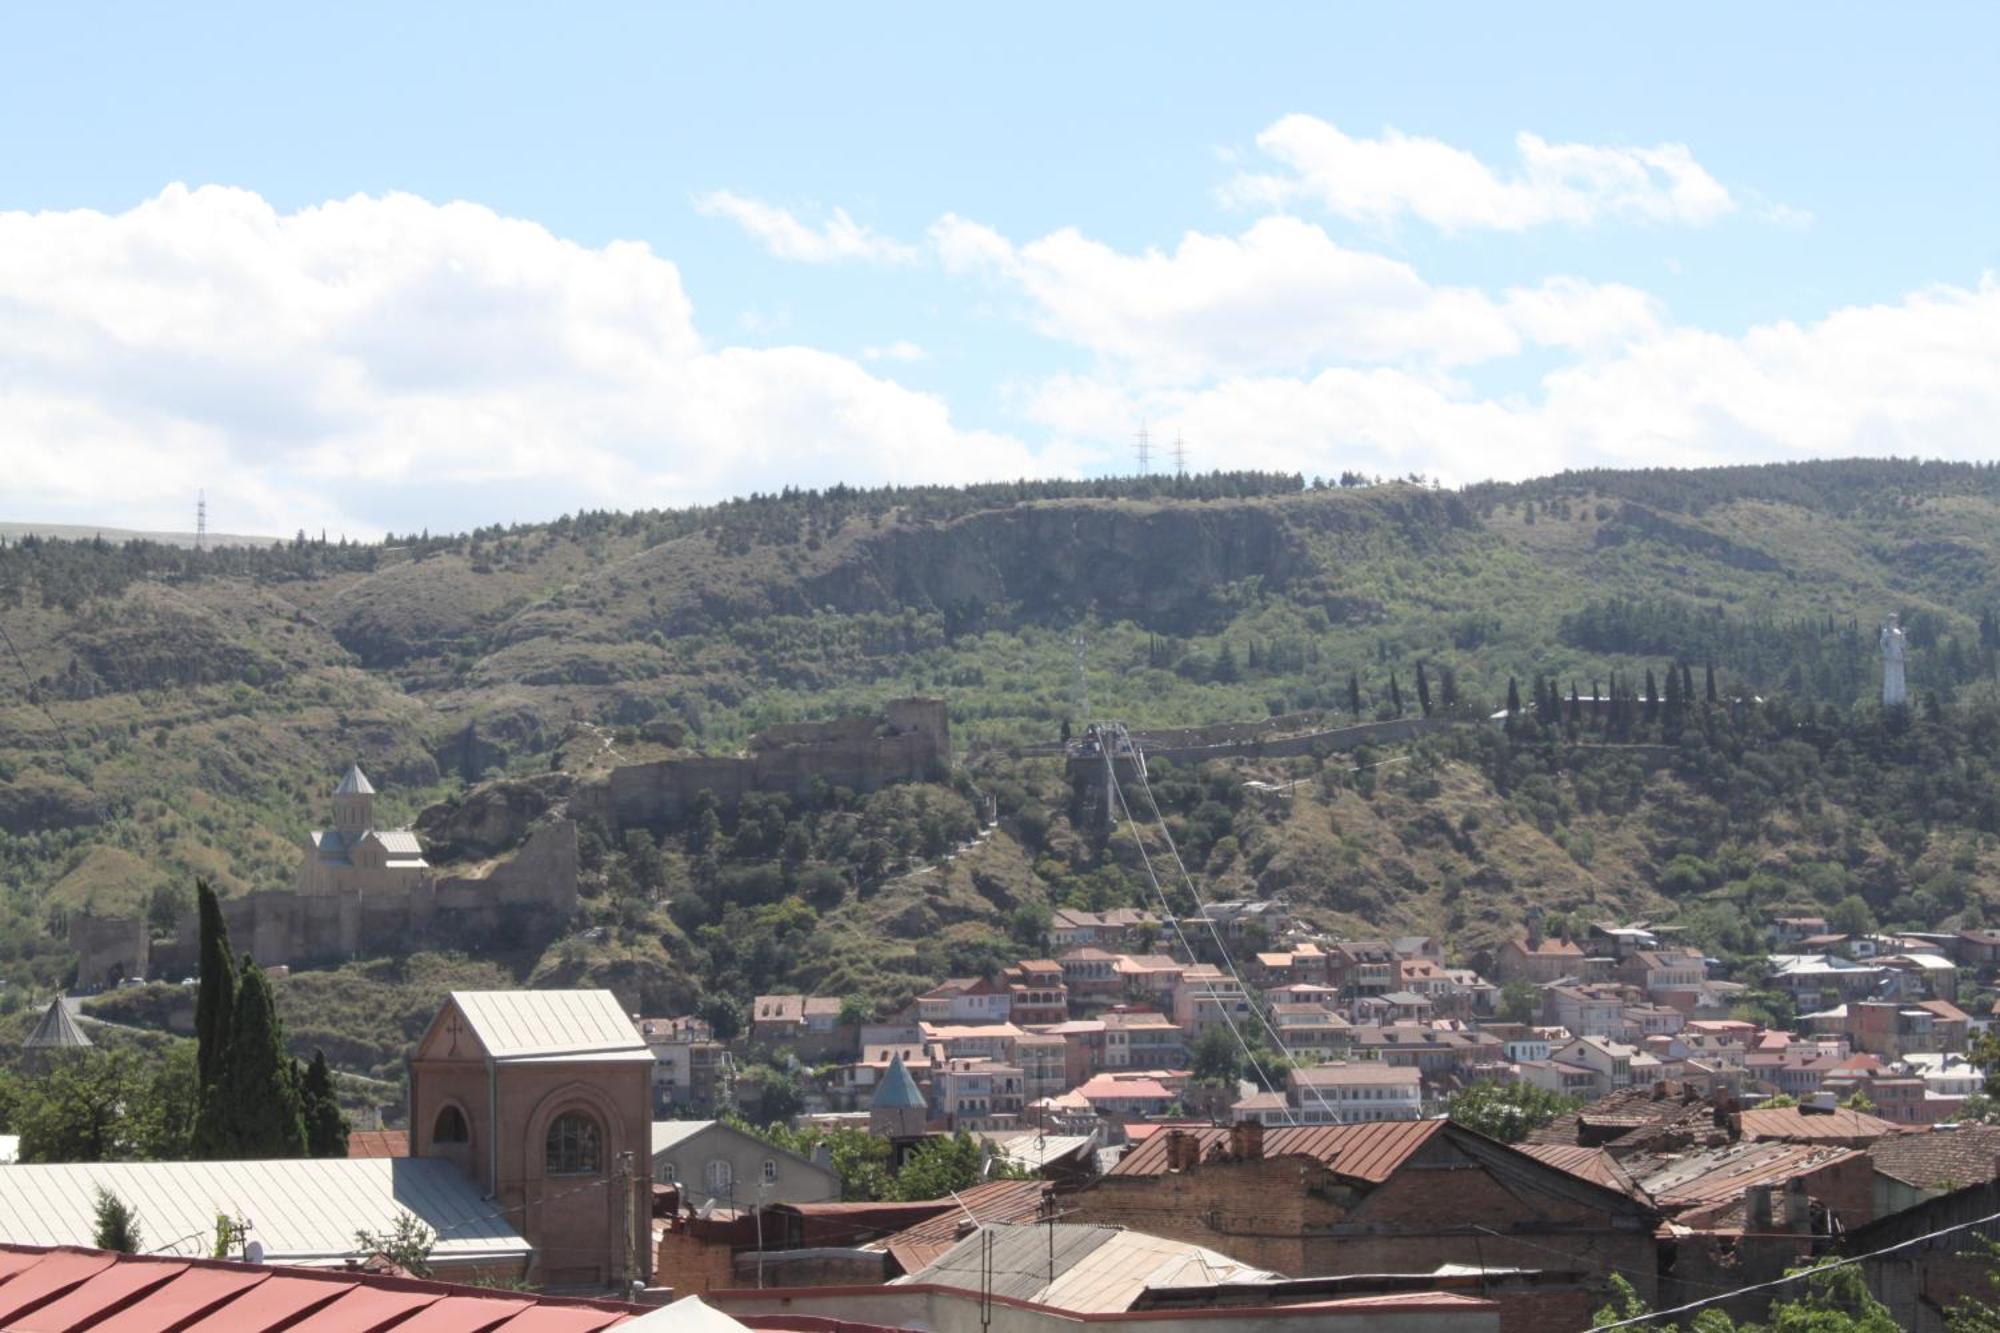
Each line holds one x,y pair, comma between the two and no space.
1079,1268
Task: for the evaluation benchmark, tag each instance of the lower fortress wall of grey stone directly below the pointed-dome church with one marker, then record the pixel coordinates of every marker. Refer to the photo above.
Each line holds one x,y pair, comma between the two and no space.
523,900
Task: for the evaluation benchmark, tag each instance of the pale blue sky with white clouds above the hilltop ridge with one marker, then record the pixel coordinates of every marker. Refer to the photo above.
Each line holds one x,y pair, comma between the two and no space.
365,269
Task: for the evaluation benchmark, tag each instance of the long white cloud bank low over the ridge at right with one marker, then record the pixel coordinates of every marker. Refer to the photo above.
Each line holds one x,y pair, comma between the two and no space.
1921,377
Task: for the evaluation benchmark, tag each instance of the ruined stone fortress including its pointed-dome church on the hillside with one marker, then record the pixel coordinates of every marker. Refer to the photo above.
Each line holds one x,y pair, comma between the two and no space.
365,892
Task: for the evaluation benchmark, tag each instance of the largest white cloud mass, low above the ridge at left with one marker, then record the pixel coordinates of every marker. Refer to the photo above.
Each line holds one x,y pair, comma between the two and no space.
397,363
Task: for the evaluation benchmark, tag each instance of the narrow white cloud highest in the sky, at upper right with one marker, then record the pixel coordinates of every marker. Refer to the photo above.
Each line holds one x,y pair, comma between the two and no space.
1383,179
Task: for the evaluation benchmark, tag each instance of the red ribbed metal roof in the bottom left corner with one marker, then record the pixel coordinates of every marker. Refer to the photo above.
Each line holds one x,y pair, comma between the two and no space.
143,1294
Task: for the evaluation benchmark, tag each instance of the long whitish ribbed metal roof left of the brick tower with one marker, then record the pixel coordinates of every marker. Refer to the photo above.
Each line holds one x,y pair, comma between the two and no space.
301,1210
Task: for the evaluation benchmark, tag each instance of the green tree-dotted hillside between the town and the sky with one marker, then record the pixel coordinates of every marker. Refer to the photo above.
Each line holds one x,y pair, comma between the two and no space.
169,714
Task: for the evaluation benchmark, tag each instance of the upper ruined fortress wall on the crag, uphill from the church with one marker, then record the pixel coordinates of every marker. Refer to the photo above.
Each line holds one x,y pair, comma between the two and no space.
909,742
